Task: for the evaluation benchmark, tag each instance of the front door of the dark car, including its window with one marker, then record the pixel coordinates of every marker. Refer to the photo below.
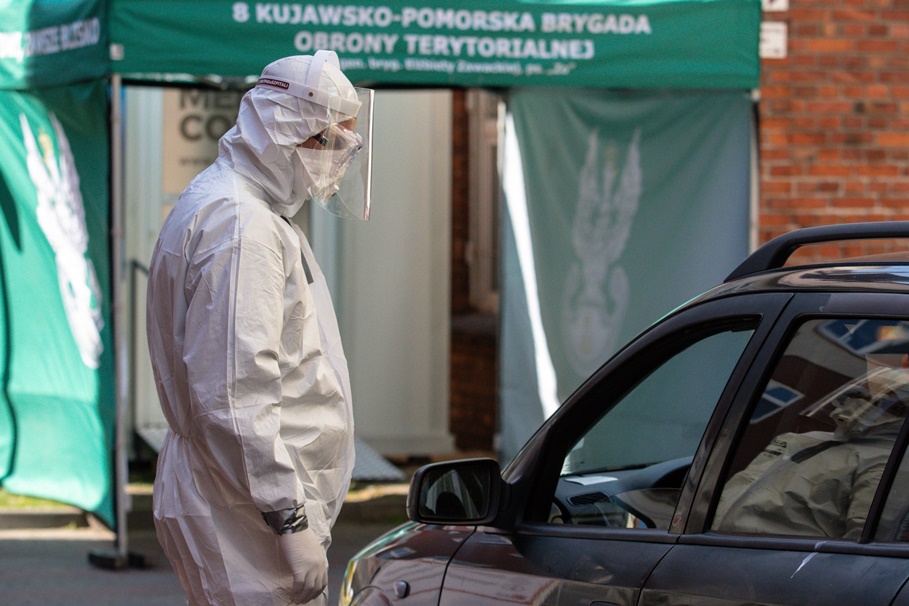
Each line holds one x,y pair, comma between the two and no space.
593,498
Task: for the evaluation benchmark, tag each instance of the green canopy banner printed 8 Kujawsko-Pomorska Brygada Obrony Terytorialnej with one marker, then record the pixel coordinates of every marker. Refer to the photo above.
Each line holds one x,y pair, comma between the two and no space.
618,44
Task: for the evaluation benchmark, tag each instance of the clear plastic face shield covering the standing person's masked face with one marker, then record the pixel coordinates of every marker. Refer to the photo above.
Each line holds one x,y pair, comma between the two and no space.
339,162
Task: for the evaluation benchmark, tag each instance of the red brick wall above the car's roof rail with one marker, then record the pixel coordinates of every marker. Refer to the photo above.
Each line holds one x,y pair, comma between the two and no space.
834,116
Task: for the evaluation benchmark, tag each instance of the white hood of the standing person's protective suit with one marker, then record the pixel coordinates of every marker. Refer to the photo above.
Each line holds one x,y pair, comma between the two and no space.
271,123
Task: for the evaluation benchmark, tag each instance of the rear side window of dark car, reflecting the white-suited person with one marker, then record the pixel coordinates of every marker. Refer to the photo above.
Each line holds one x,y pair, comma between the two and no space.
811,457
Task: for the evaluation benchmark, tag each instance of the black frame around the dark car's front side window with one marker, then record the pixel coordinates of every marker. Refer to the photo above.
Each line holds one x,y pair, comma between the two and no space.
534,473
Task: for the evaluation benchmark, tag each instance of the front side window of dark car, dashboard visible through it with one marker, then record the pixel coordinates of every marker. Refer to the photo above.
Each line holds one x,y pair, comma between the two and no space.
627,470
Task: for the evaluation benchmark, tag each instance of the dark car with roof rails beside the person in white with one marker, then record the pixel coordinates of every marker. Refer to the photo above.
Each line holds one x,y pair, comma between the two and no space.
749,448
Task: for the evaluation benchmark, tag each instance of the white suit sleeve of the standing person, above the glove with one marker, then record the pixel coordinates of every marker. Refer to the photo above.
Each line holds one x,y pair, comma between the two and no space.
234,326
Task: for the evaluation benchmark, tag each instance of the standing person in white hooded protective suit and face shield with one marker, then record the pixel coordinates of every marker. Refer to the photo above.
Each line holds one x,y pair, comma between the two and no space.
245,346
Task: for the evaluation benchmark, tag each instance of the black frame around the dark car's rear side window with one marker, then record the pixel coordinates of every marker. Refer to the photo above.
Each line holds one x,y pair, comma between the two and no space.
804,306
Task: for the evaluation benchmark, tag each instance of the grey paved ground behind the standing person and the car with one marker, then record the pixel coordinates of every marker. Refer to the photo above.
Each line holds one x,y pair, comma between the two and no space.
42,562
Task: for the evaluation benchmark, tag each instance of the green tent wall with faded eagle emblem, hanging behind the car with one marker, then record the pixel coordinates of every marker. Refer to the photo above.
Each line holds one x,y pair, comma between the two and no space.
620,207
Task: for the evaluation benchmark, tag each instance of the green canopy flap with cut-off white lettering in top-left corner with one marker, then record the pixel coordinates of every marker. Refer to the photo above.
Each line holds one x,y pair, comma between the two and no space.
50,43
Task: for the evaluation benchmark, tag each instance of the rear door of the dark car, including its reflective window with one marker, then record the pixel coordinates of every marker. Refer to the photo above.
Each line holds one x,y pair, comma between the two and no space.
803,499
